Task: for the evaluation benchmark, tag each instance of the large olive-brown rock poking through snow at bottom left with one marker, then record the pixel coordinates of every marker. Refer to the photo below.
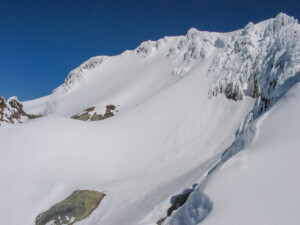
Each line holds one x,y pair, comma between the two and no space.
78,206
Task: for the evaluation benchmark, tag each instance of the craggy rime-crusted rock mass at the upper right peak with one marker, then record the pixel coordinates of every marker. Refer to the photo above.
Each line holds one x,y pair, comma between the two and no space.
258,60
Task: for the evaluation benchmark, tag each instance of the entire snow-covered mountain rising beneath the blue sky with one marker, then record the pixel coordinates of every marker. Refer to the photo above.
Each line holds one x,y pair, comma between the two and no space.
162,126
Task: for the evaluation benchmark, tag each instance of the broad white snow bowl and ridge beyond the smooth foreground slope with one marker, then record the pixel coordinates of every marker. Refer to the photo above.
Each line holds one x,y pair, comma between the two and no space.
170,131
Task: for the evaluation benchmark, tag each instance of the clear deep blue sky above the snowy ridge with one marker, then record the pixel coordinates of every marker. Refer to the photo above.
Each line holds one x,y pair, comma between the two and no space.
41,41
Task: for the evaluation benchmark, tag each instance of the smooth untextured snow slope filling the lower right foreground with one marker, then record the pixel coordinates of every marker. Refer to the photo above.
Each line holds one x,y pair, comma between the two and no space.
260,185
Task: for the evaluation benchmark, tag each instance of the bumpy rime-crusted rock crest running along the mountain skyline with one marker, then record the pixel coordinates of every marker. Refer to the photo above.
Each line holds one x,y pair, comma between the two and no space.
254,61
